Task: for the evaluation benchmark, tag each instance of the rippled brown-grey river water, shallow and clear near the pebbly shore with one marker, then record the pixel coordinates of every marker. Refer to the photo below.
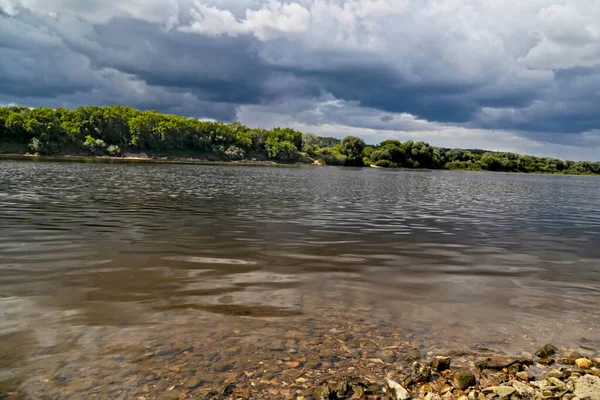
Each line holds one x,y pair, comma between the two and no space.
112,274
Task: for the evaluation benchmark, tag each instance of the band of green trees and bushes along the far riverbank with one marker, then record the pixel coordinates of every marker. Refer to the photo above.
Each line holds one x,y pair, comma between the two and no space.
124,132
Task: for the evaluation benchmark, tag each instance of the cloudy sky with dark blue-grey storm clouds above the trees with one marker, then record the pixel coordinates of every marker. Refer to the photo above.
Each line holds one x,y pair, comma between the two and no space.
507,75
